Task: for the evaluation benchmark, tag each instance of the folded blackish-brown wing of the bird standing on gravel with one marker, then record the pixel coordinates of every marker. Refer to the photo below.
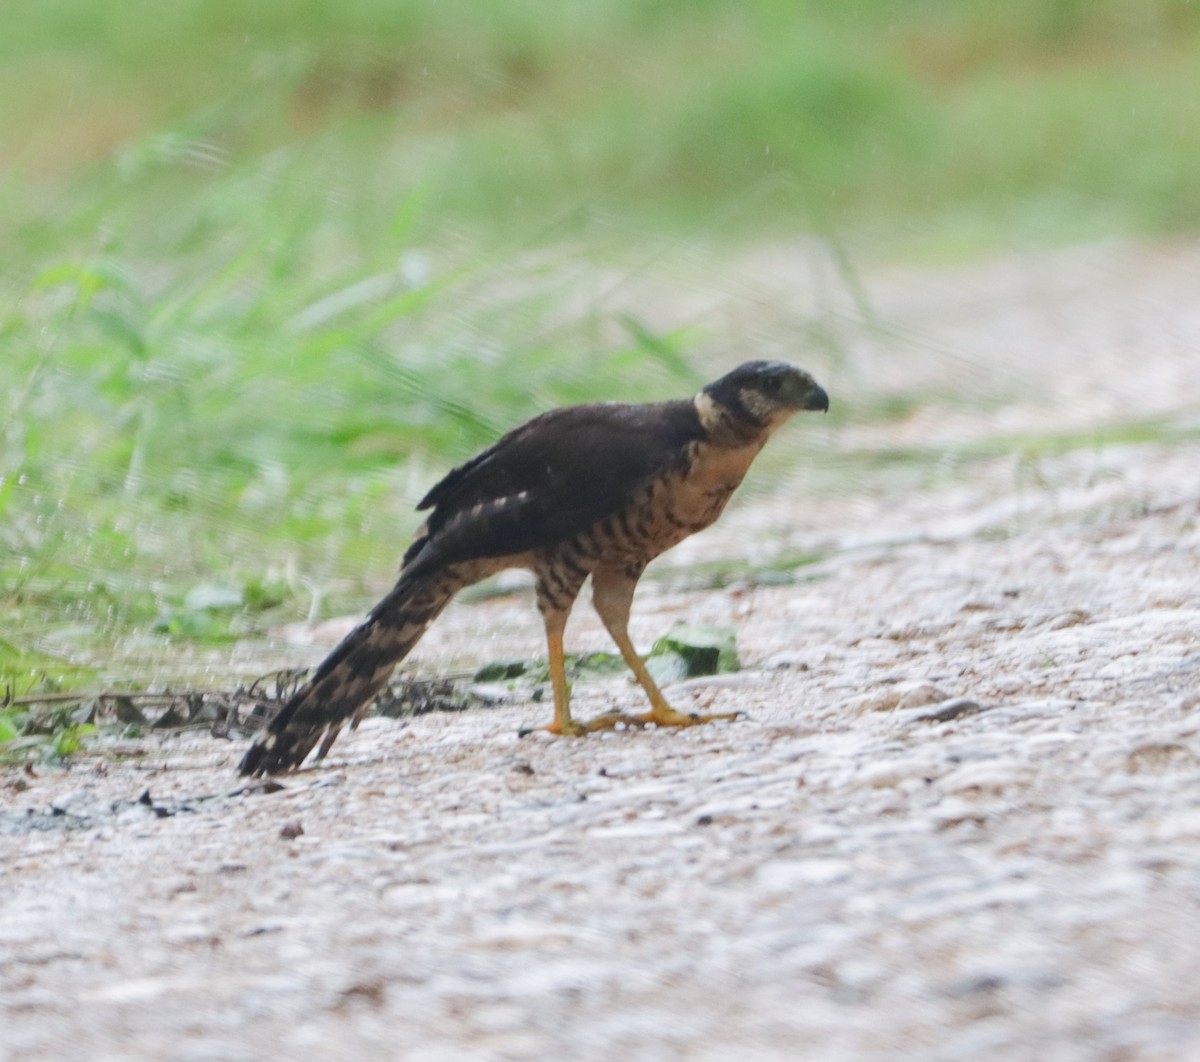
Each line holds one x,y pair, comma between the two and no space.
553,478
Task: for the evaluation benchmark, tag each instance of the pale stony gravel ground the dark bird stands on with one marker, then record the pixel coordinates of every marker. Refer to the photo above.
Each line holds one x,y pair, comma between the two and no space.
962,818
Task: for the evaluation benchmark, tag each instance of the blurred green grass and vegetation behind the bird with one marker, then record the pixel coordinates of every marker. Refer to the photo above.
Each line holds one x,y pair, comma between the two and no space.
269,268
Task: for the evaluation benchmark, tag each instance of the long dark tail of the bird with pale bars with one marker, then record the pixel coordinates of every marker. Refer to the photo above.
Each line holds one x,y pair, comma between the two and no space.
351,677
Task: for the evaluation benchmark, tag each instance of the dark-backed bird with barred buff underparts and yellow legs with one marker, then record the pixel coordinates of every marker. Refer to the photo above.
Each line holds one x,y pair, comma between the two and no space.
597,490
